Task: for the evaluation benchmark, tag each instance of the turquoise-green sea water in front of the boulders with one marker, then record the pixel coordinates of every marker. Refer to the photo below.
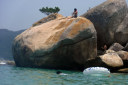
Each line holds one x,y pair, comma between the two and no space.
12,75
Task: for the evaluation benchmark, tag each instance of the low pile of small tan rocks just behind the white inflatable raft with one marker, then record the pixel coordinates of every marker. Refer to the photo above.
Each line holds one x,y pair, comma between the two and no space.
114,60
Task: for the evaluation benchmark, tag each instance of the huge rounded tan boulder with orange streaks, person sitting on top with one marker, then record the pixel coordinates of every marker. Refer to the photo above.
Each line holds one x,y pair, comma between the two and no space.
64,43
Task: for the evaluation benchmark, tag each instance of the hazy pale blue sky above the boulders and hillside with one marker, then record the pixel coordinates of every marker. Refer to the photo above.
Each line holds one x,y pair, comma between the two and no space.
21,14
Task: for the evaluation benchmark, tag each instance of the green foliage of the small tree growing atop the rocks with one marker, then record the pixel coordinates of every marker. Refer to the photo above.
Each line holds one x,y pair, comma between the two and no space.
48,11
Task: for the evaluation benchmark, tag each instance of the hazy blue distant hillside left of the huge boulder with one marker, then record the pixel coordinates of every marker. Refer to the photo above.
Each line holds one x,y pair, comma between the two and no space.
6,39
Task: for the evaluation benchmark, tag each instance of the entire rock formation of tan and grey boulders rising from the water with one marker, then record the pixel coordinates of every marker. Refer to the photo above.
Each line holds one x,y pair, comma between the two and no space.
71,43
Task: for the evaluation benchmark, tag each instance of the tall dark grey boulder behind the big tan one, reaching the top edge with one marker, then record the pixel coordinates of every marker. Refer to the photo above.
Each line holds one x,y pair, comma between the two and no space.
108,19
